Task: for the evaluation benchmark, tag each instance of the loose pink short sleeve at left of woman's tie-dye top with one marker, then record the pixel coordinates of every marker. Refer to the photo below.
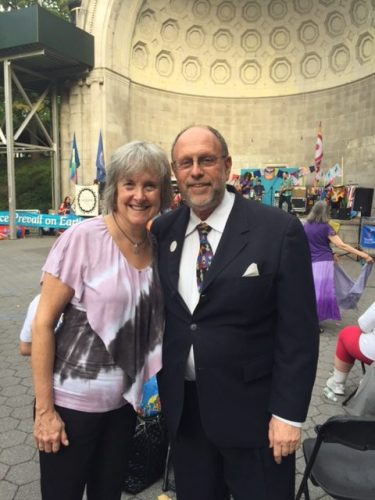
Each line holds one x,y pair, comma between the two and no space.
66,259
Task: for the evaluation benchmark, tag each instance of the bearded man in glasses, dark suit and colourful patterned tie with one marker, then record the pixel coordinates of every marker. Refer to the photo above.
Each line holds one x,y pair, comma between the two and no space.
240,349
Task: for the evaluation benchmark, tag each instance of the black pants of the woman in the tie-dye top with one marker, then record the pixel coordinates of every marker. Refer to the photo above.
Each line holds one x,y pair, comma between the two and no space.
96,457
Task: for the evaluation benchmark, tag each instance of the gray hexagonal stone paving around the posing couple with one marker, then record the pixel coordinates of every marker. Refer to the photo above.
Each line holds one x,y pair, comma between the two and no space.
20,263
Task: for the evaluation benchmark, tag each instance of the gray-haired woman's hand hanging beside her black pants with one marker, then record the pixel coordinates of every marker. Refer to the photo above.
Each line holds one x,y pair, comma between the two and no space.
49,431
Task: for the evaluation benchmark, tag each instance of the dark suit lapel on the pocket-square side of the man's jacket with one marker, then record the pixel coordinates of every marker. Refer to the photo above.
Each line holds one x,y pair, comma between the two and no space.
234,238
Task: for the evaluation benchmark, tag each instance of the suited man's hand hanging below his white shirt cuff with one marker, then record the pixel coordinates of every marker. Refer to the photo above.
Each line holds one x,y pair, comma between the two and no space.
284,438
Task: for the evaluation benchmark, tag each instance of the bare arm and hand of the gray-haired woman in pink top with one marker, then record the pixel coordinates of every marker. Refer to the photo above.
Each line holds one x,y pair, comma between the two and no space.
49,429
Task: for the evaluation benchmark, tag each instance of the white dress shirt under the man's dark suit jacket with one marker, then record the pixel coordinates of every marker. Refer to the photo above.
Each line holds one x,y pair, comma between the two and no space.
187,284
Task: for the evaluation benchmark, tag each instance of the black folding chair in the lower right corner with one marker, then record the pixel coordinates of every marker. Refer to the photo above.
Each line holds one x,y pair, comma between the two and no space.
341,459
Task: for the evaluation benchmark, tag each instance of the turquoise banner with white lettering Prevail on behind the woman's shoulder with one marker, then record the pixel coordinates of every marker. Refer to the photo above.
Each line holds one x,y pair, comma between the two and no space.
32,219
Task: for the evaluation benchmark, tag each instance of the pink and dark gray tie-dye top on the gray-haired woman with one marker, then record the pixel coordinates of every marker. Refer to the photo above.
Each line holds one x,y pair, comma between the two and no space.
110,340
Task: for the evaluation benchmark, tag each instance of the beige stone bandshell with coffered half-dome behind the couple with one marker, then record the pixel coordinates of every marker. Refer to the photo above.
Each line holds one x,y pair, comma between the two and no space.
264,72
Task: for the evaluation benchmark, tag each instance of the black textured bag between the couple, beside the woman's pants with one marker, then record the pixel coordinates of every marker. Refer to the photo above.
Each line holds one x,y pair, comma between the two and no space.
147,455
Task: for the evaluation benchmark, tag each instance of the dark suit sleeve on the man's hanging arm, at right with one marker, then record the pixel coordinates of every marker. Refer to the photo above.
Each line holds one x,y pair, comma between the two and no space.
297,329
